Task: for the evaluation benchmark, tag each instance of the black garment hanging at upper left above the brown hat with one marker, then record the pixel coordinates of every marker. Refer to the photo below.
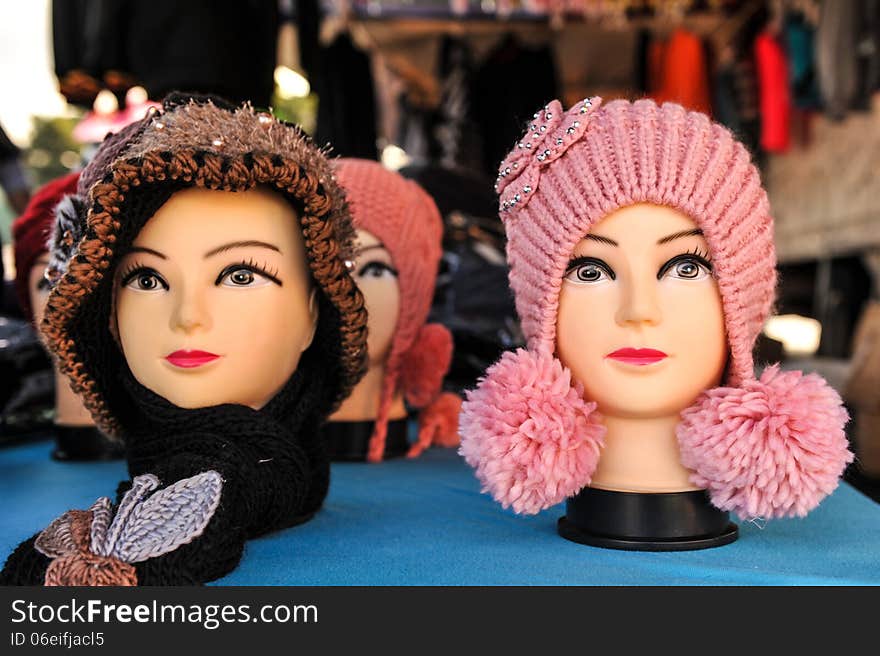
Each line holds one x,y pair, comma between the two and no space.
221,47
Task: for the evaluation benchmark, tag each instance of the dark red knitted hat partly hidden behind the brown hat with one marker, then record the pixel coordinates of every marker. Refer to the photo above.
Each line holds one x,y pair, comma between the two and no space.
31,232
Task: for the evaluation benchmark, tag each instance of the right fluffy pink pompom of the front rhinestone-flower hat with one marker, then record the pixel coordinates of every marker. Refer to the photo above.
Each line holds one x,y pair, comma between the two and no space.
771,448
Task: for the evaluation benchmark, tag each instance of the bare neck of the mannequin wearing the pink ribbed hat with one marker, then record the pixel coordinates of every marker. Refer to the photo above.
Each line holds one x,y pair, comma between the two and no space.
641,455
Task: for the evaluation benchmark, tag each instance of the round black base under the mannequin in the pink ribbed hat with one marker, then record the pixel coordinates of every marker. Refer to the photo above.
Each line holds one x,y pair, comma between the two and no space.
673,521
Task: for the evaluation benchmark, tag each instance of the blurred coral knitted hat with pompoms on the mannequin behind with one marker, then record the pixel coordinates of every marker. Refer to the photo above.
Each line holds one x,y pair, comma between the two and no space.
408,223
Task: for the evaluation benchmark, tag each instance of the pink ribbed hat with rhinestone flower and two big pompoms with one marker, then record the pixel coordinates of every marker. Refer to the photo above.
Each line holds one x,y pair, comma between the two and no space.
770,447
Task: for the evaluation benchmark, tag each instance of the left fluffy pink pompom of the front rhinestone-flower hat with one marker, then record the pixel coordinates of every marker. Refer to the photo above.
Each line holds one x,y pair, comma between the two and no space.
528,432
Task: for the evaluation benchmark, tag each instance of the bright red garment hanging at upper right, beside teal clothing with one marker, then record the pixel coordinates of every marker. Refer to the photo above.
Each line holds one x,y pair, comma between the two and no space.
774,97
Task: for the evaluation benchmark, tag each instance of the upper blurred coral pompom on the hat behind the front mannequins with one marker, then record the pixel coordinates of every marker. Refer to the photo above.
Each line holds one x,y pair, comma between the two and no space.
425,364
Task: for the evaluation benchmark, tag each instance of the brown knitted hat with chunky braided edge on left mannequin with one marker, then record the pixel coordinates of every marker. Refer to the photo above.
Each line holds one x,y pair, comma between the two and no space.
197,142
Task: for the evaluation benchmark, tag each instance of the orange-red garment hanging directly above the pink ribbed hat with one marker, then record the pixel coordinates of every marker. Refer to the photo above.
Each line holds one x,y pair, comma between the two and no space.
682,72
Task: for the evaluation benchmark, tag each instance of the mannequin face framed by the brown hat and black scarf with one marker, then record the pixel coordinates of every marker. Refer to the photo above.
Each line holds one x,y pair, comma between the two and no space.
214,301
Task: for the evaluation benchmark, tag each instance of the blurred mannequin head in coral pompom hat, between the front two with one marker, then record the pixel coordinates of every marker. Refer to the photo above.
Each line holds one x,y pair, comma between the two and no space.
399,237
